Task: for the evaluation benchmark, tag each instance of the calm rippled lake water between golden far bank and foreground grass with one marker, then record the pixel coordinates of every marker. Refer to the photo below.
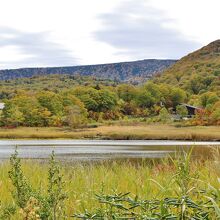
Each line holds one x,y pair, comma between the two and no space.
96,150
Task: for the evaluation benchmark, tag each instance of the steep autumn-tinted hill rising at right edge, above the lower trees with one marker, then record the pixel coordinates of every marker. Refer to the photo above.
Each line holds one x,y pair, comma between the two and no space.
197,72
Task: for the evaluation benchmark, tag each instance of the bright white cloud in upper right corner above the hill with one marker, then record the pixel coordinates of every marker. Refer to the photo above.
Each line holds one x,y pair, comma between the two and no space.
197,19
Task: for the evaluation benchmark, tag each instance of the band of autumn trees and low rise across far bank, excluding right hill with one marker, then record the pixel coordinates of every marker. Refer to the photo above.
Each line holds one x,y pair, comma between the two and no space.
79,101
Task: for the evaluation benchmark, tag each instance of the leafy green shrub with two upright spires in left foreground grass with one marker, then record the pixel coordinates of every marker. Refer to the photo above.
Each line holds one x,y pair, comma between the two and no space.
33,204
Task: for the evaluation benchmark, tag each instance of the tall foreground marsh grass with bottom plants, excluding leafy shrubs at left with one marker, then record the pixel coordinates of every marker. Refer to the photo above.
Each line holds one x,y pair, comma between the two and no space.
170,187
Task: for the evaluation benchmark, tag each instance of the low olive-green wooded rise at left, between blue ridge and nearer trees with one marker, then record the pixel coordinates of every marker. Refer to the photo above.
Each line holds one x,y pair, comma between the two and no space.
53,82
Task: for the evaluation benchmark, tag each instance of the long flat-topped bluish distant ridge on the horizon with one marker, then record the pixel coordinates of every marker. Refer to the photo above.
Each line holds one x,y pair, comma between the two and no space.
134,71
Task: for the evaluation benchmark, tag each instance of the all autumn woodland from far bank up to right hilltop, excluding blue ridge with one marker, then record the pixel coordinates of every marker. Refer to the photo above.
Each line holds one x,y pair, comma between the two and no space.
76,100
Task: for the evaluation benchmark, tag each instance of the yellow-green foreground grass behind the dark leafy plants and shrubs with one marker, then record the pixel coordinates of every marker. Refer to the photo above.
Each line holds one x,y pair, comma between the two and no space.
144,180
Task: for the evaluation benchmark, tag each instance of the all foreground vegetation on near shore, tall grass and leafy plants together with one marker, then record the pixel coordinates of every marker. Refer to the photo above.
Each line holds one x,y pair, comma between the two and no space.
182,188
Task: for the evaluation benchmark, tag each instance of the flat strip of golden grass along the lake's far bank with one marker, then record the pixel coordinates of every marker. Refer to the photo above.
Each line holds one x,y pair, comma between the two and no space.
128,132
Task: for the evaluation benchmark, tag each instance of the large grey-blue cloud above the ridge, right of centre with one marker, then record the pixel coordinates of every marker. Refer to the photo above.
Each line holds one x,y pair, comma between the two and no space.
143,32
